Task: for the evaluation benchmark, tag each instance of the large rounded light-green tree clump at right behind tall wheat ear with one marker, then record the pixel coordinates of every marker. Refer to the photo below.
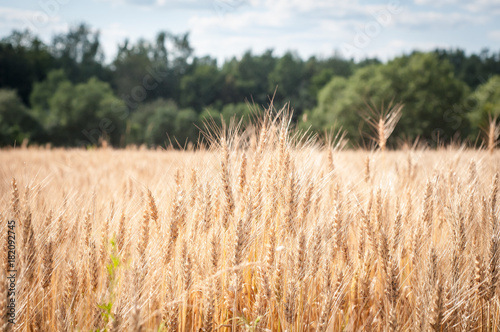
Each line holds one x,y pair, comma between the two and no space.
432,96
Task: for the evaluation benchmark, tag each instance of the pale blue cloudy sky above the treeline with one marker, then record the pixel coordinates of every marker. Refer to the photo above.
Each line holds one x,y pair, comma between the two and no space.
226,28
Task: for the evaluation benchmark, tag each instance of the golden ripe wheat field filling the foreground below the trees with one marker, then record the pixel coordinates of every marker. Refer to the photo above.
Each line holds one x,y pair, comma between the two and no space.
266,230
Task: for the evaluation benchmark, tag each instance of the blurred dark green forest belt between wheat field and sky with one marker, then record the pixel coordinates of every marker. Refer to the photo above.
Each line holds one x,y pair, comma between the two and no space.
157,92
